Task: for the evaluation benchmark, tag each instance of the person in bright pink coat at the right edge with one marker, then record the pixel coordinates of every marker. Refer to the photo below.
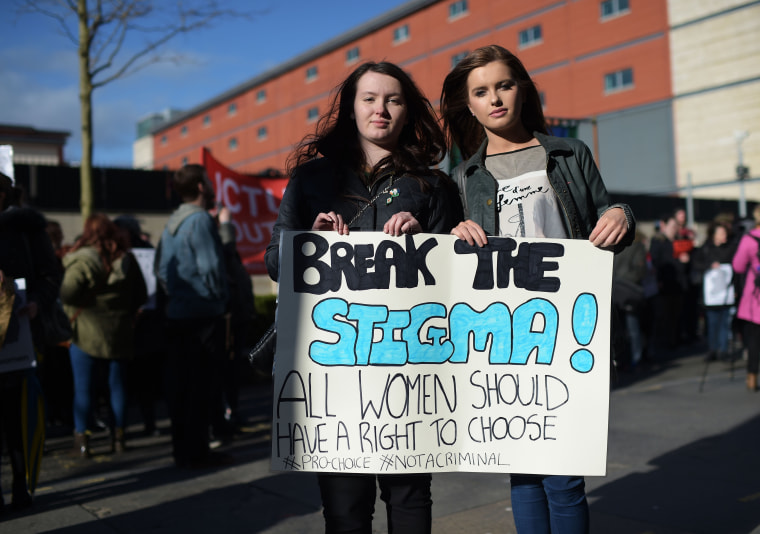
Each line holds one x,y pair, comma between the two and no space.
746,262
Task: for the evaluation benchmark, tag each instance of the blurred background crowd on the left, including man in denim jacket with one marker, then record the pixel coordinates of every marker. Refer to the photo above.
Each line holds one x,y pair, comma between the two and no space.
111,340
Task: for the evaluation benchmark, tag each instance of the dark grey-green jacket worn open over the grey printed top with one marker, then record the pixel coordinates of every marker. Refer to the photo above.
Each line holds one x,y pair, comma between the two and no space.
572,174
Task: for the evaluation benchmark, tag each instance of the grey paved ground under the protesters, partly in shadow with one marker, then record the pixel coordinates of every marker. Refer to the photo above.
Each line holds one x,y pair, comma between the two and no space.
684,458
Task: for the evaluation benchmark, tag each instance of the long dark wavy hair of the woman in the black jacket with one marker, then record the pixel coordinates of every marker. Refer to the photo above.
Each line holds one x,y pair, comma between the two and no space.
421,143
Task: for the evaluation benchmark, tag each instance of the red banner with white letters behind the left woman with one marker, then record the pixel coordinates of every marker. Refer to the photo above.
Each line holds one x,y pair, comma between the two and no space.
253,202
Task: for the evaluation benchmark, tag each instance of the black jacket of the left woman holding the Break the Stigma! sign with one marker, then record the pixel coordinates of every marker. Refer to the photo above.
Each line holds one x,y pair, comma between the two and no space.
320,186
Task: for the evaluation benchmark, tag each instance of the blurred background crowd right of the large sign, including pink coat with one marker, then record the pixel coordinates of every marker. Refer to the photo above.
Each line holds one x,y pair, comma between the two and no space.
675,289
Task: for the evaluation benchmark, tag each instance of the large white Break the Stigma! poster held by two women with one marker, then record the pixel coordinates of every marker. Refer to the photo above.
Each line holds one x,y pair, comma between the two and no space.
422,353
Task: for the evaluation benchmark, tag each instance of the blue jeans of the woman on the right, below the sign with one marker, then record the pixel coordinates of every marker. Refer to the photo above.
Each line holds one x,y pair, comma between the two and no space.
549,504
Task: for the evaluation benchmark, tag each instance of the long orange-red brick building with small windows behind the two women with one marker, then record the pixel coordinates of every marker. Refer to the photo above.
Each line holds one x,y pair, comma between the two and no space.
590,58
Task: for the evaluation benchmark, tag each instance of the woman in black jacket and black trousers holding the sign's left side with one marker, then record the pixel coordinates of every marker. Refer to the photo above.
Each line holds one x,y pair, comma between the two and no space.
368,168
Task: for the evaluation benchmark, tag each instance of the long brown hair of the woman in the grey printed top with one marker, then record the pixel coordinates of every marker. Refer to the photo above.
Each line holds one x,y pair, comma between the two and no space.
462,129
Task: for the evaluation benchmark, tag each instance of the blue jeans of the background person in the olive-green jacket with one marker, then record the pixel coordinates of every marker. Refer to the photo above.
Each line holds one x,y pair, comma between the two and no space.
82,366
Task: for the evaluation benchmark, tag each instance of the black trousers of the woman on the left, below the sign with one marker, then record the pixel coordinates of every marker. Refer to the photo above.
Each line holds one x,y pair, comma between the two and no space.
349,502
